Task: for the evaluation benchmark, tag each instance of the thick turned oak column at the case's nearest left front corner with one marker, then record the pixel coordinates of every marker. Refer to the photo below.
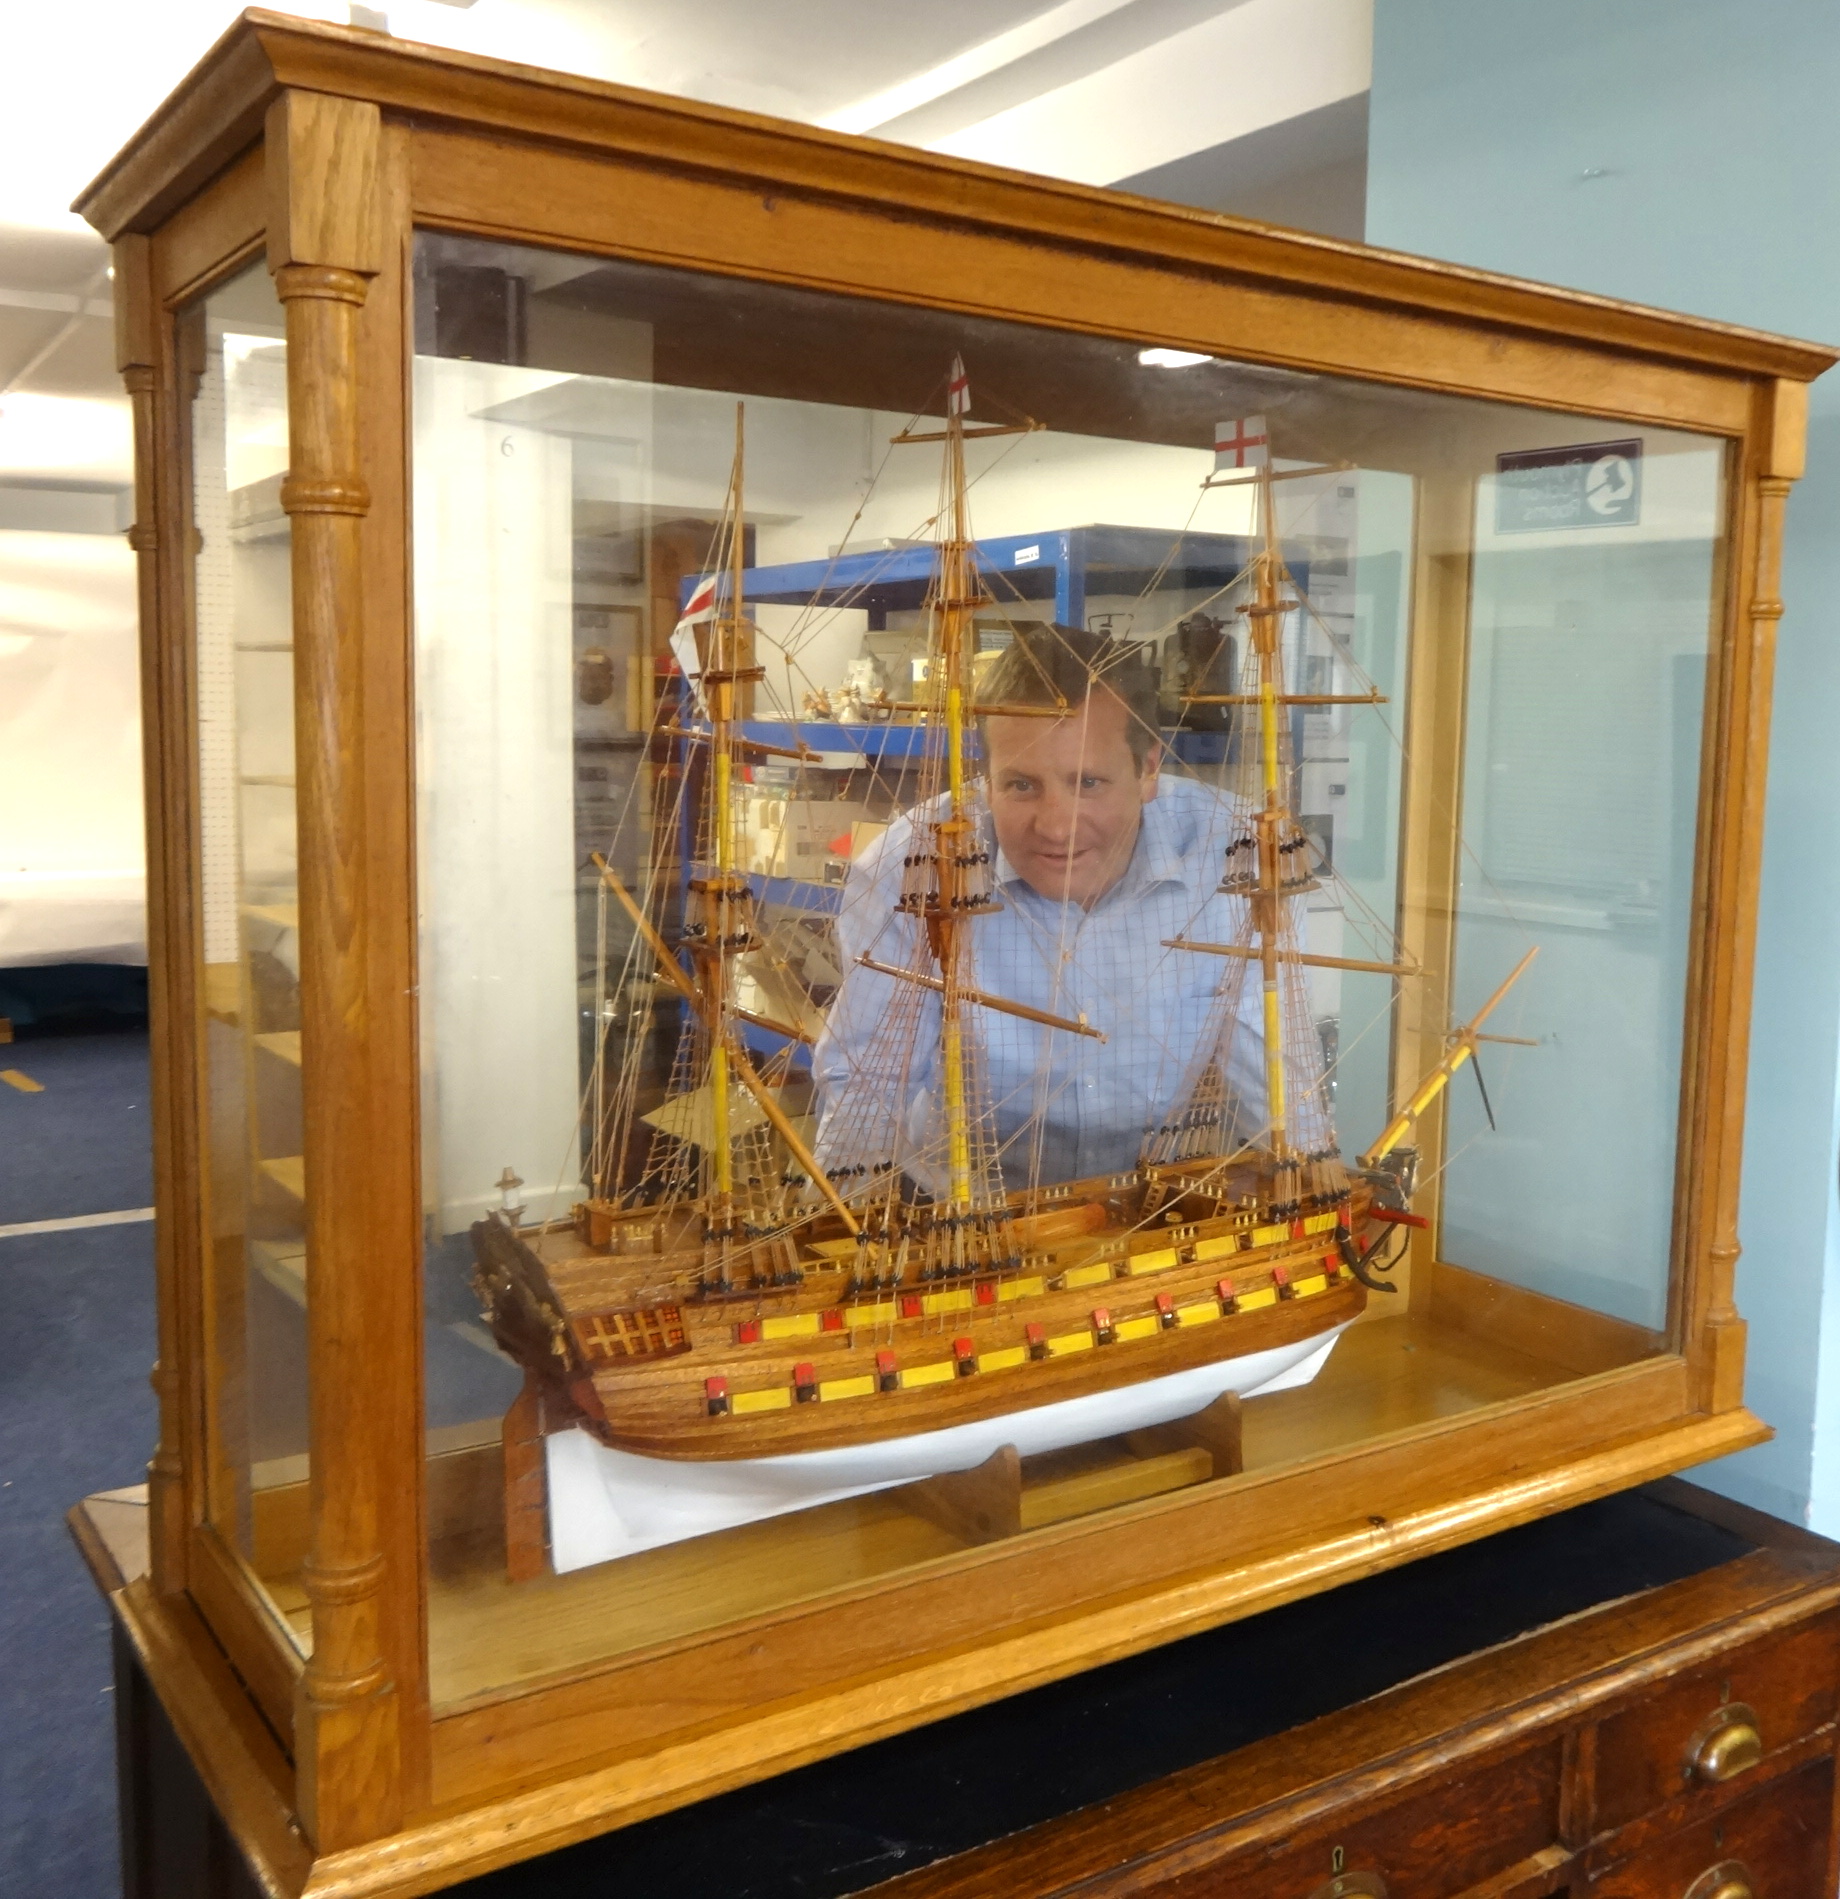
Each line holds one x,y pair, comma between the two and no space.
324,248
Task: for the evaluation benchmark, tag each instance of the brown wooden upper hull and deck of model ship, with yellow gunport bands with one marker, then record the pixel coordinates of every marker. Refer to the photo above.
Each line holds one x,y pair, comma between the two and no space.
656,1363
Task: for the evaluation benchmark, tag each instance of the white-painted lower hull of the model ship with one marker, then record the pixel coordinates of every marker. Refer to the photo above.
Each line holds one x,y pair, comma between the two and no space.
609,1503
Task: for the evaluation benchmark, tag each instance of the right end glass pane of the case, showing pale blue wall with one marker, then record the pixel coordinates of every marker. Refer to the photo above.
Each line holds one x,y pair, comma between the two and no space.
1588,656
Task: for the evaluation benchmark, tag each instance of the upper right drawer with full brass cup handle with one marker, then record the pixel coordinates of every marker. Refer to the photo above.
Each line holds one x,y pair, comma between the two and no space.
1645,1758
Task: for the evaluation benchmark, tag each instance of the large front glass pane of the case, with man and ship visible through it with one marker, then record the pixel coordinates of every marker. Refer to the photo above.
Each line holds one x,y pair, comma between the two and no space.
928,867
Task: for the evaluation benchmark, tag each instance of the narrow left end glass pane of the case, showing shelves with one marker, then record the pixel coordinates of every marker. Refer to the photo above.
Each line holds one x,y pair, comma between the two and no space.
252,933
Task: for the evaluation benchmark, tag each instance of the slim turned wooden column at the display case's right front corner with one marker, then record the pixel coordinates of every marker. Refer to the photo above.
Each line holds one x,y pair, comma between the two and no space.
1735,766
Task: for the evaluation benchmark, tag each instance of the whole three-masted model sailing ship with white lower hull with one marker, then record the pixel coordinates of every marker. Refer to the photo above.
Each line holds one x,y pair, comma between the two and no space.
757,1326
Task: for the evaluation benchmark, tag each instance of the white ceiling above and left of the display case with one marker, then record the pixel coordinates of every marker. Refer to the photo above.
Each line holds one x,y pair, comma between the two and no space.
1093,90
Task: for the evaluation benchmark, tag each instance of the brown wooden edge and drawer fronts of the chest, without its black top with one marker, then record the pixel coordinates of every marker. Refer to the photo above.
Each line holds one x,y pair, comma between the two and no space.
1678,1744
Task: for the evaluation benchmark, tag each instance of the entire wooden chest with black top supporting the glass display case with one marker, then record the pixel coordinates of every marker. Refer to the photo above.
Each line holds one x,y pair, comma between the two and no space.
1636,1701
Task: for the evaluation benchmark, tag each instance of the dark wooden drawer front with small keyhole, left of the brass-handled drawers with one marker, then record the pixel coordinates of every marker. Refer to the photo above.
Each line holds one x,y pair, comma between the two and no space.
1438,1843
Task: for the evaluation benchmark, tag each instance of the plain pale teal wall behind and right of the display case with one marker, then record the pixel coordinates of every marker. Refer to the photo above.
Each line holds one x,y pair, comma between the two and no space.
1687,155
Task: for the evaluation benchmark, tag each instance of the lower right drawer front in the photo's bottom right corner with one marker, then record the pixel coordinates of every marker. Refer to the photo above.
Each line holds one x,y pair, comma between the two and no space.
1773,1841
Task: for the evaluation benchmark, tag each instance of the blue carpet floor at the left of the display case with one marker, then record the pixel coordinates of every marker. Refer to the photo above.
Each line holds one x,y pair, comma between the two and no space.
75,1416
